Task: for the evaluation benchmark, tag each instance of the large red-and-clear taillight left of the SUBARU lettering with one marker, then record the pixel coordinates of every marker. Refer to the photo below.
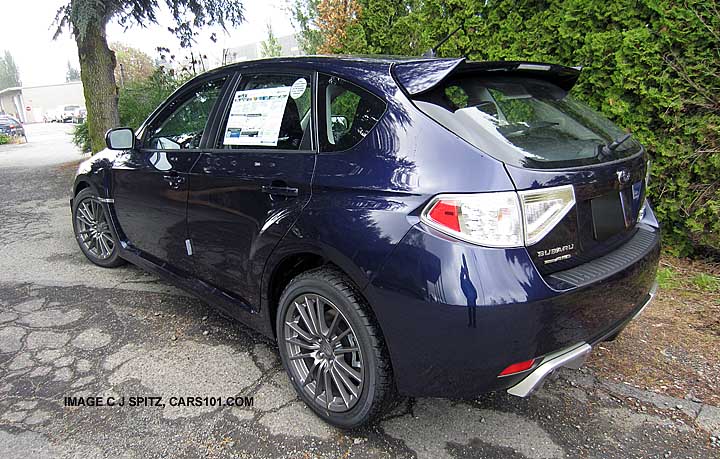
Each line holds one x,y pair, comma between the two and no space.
502,219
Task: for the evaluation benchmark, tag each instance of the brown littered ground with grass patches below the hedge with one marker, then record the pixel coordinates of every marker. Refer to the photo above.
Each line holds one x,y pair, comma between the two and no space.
673,347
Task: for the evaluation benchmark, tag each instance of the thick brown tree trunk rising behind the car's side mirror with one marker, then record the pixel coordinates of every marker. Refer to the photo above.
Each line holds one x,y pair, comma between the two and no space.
97,72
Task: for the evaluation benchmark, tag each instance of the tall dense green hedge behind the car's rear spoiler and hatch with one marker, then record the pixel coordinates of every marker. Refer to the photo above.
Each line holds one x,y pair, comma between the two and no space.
651,66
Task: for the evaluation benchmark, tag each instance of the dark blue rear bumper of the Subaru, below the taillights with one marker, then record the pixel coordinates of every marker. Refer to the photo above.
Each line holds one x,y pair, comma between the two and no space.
454,315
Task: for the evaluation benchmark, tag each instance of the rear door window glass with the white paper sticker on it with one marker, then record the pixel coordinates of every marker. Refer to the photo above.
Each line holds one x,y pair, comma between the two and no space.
270,112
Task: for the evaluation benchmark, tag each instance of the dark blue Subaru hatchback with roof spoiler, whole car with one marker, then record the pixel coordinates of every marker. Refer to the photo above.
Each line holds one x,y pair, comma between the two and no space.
427,227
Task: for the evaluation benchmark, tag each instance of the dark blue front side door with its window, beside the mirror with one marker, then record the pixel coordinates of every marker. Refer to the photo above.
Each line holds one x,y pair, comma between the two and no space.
150,182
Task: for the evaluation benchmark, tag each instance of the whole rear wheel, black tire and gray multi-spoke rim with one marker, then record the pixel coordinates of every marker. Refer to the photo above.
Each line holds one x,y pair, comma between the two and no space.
333,350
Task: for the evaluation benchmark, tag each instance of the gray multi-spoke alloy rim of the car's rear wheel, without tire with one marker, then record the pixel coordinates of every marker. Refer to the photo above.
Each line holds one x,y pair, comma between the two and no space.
323,352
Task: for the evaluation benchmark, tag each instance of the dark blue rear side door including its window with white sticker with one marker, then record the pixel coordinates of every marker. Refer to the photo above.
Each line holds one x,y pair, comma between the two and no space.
248,190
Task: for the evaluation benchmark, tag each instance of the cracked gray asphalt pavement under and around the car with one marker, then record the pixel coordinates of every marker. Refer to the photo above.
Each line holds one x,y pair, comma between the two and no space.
68,328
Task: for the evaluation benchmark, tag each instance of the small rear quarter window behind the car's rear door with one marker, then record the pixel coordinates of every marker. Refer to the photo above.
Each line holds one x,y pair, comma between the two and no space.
350,113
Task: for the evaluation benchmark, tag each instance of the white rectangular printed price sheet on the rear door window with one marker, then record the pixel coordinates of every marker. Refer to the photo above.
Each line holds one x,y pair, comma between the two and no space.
256,116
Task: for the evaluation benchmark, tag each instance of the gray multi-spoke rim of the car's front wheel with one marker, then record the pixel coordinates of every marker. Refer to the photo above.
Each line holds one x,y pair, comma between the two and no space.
93,229
